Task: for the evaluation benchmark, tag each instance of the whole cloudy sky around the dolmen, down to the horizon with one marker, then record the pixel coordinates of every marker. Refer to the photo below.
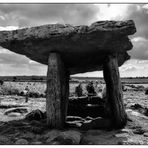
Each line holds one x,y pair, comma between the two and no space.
14,16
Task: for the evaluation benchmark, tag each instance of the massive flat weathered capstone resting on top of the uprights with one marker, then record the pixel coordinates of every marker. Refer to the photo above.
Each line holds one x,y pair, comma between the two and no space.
82,48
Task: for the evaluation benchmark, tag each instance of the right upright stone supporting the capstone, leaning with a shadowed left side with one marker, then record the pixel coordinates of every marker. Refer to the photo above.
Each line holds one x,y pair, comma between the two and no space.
114,90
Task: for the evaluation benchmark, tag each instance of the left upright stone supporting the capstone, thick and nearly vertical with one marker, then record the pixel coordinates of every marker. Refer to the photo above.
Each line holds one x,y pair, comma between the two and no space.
57,91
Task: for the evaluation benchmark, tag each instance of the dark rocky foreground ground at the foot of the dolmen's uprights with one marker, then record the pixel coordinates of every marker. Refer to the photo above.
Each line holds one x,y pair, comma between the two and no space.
22,132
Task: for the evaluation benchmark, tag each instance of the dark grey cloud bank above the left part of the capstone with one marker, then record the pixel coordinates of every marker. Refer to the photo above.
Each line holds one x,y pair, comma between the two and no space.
38,14
